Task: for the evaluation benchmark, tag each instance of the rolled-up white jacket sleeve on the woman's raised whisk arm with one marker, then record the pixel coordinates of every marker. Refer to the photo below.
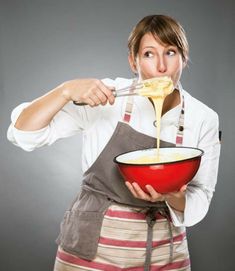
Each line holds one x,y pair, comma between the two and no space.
67,122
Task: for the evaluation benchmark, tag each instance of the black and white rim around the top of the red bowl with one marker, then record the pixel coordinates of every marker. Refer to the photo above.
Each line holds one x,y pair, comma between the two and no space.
160,163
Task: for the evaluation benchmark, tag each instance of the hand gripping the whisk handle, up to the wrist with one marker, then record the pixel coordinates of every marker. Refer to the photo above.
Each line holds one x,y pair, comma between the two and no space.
89,91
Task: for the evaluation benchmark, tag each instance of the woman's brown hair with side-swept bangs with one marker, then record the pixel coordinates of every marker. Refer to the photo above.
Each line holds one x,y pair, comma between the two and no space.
165,28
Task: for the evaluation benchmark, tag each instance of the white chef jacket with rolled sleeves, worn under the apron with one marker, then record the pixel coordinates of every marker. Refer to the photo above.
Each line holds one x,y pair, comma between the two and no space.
97,124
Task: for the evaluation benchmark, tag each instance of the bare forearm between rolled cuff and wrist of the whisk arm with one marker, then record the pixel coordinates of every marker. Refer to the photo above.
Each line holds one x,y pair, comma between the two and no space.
42,110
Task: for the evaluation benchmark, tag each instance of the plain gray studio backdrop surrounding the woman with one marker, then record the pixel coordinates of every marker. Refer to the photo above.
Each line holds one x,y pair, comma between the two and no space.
44,43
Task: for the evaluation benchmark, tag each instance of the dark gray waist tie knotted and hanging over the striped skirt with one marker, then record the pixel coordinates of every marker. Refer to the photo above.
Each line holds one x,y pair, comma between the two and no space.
151,220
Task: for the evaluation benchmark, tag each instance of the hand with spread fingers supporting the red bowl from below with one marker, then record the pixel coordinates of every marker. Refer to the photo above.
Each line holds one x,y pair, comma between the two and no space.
175,199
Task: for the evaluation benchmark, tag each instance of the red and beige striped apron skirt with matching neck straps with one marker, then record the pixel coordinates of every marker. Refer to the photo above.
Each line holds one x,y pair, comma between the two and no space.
130,241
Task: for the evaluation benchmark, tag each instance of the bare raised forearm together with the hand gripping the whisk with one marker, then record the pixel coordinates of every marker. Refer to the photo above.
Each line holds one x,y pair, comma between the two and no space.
41,111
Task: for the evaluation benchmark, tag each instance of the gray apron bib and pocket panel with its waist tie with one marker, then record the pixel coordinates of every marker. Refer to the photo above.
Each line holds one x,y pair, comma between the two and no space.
102,186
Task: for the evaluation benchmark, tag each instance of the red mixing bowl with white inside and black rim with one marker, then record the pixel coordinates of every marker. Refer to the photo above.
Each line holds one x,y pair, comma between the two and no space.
164,177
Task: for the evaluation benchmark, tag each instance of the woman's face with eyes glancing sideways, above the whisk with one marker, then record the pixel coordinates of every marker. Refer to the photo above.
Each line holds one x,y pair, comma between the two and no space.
155,59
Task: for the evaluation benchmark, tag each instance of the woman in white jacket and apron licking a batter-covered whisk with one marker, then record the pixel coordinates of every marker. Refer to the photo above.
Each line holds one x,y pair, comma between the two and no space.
110,227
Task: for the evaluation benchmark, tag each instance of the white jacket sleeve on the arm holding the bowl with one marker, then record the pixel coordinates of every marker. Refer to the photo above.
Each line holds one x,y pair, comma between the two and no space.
200,190
